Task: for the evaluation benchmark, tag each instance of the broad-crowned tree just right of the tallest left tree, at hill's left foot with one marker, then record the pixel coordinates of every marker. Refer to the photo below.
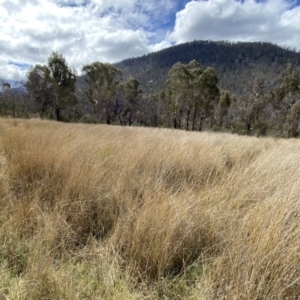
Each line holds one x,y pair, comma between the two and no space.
103,80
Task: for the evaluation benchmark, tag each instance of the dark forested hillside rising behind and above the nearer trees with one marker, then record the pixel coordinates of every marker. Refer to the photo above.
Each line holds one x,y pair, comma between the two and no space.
237,64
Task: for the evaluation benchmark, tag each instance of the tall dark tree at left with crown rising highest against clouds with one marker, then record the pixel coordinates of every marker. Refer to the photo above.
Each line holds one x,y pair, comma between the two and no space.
62,80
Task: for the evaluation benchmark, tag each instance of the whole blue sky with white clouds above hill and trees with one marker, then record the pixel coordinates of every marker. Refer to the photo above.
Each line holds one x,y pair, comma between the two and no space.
84,31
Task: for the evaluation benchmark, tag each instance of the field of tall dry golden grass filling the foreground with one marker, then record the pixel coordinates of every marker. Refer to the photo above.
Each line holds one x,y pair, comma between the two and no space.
106,212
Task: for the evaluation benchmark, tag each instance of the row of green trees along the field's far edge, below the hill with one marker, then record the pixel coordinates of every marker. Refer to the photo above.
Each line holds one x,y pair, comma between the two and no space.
190,98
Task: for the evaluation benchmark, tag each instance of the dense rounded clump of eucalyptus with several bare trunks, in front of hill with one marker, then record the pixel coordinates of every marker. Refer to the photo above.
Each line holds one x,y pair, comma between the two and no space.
188,89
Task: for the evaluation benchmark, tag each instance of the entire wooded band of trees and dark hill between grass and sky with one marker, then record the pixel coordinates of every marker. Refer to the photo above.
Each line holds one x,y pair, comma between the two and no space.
247,88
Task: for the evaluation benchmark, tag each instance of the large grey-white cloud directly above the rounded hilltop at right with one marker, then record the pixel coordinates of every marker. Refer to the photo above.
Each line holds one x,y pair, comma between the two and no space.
275,21
